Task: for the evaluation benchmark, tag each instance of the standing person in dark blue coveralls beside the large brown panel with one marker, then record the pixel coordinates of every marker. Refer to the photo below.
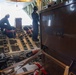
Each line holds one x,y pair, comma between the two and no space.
35,18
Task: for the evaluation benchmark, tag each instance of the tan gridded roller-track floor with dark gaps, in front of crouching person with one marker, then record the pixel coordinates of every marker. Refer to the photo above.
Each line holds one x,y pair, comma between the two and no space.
22,42
